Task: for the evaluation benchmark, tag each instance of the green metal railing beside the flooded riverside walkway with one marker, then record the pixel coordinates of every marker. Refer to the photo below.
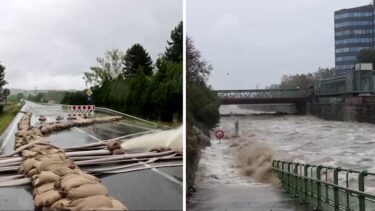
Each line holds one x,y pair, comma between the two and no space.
326,188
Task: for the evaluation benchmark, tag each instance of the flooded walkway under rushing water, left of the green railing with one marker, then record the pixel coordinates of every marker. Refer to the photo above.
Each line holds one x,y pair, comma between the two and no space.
221,183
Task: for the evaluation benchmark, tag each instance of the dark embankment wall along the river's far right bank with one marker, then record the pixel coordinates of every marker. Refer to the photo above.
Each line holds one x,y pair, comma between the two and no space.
360,109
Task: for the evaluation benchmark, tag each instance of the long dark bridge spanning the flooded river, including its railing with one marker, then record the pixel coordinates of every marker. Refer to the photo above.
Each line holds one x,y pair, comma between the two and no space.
262,96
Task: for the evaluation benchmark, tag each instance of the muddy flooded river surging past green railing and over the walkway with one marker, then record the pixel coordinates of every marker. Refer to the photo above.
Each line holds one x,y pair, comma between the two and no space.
304,139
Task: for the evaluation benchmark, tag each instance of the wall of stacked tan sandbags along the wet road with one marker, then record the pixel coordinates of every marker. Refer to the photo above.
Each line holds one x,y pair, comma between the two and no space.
57,182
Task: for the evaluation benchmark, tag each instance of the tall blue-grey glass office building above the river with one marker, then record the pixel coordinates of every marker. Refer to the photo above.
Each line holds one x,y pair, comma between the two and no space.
354,31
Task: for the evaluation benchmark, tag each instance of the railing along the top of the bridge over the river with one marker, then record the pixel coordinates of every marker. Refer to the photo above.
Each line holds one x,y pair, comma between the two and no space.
262,93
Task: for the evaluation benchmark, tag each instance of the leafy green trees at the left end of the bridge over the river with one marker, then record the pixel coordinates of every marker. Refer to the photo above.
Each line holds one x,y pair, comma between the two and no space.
202,104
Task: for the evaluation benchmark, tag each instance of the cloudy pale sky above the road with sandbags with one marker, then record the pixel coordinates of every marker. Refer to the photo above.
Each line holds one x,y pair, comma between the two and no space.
49,43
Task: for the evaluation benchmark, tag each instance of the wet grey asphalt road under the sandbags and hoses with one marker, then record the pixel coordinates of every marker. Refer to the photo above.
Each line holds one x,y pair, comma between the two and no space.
140,190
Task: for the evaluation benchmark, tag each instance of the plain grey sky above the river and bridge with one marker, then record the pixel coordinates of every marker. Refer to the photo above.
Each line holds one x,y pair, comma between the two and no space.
256,42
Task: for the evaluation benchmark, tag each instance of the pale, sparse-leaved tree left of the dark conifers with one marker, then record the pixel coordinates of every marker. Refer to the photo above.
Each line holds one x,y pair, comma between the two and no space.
110,68
